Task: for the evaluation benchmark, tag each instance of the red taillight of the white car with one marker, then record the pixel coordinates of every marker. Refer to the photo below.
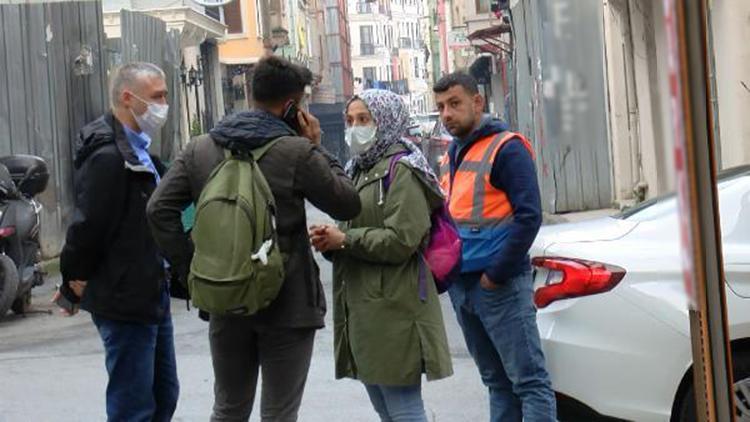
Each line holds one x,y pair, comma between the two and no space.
569,277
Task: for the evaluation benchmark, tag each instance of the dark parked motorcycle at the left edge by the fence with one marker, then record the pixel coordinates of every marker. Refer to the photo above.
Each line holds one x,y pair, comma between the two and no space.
22,177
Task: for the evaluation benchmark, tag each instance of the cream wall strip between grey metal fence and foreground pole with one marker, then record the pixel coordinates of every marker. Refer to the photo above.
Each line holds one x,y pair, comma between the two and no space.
639,102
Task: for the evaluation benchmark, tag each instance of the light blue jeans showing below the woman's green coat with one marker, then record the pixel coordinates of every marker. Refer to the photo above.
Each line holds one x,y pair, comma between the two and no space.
397,403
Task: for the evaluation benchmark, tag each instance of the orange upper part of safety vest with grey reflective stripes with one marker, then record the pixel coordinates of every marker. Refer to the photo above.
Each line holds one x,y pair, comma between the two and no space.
472,200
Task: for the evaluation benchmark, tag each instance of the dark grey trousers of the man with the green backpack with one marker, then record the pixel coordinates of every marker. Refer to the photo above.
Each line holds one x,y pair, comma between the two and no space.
239,348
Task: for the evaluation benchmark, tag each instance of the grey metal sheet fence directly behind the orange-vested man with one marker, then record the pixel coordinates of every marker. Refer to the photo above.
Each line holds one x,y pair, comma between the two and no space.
559,91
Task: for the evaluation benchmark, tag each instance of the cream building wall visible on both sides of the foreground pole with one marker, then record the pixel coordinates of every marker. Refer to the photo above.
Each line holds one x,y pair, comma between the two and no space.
640,115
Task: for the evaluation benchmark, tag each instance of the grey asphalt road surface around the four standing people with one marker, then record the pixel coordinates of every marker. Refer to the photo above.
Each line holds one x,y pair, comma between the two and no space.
52,369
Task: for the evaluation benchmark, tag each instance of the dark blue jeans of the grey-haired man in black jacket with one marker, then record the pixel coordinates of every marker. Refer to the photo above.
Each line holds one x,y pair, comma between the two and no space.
140,361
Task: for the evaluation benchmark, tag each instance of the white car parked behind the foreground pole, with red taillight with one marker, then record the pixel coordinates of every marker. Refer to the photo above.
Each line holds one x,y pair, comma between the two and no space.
613,310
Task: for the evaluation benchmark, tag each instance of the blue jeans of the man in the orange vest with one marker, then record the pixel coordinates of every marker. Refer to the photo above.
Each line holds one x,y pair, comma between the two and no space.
500,329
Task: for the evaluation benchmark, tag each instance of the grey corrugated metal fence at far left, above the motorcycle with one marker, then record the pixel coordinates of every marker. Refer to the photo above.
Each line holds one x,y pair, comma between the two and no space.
44,101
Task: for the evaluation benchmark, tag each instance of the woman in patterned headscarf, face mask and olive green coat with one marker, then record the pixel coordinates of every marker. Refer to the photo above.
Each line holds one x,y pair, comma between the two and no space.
388,325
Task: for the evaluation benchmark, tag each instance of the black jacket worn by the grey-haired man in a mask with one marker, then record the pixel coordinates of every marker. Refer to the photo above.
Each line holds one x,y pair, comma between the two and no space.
108,242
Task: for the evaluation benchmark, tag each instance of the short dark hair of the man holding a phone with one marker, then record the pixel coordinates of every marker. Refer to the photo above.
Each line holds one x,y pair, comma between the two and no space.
276,79
